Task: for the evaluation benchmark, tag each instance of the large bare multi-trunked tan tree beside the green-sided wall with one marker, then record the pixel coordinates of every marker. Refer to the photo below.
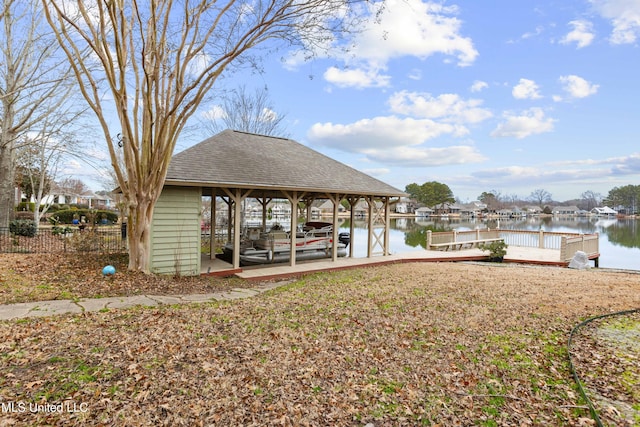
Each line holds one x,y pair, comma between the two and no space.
159,59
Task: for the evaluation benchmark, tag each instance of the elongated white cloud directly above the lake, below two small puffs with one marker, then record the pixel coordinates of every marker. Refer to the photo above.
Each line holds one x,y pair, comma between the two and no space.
447,107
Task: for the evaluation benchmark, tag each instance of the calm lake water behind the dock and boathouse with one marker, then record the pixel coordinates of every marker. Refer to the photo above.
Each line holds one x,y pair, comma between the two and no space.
619,238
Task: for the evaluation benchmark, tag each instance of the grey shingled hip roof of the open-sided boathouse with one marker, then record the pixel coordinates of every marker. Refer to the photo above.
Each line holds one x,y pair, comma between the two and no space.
233,159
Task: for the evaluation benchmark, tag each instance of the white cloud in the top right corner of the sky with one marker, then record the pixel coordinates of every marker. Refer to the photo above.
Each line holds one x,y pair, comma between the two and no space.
624,16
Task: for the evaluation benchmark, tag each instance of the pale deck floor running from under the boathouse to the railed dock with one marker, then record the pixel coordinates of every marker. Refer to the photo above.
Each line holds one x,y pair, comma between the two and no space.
265,272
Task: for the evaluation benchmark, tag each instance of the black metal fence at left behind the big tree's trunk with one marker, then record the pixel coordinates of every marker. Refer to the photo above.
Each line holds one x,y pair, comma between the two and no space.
65,239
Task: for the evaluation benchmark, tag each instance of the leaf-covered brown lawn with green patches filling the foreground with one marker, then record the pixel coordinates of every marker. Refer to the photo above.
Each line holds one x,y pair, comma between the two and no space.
410,344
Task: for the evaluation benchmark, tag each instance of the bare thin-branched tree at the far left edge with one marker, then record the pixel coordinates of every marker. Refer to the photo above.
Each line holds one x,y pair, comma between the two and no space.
33,79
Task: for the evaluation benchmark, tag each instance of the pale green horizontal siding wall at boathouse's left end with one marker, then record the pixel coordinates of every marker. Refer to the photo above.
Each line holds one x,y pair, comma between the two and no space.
175,232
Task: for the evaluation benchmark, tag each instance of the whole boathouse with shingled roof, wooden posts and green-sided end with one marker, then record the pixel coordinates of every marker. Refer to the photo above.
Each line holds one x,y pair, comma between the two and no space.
232,166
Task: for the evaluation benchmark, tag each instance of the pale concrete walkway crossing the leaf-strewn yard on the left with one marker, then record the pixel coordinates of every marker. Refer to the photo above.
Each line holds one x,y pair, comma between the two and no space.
55,307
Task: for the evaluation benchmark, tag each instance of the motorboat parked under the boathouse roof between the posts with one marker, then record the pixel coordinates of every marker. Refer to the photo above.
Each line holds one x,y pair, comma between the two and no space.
314,241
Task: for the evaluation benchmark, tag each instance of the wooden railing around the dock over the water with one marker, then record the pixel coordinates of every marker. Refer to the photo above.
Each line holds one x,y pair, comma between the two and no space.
566,243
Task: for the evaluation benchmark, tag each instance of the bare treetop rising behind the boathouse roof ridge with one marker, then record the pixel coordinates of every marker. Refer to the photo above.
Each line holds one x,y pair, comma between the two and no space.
247,112
